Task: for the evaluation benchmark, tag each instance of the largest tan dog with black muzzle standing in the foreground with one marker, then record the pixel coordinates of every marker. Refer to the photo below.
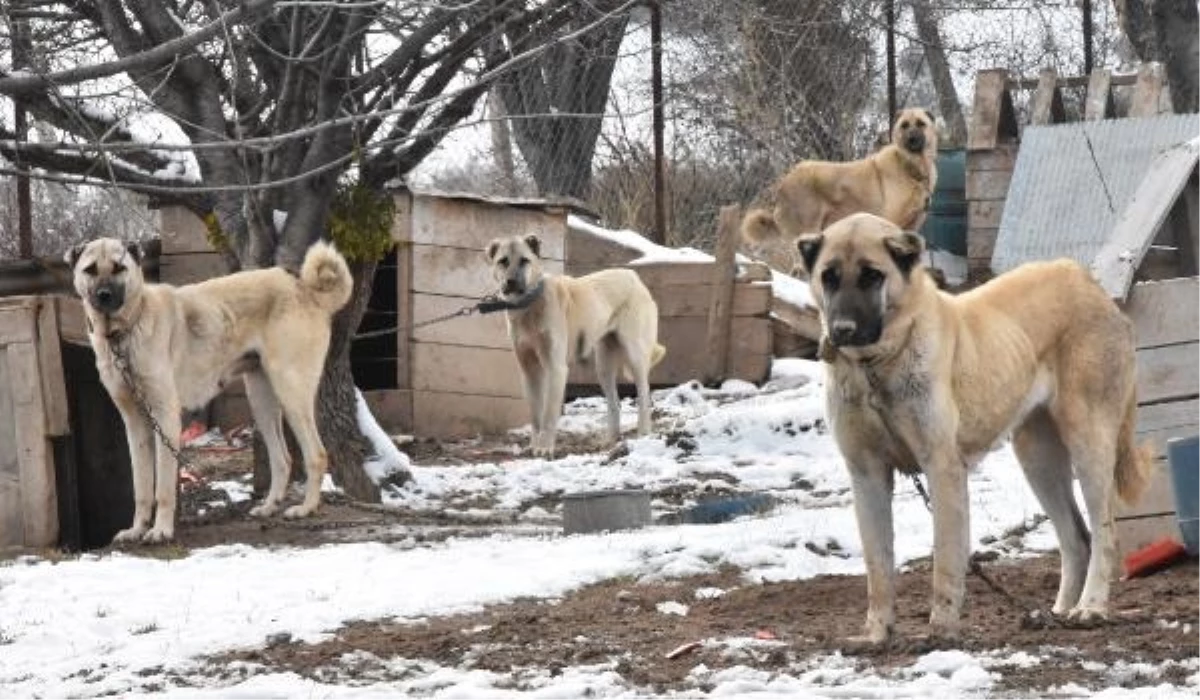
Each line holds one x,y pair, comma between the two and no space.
920,380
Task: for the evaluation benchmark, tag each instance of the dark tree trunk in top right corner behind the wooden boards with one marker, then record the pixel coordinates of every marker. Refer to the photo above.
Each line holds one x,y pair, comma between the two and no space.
1168,32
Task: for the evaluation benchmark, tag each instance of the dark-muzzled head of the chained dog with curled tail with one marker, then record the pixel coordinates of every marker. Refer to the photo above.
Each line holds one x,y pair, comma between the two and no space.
107,273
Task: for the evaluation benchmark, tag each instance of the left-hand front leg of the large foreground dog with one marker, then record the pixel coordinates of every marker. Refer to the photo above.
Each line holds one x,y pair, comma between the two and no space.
872,486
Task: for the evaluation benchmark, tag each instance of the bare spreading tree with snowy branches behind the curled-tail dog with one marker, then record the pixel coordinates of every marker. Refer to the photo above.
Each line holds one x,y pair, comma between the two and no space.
277,101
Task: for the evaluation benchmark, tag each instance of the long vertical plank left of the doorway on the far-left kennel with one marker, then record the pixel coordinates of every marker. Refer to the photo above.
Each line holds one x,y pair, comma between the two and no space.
39,500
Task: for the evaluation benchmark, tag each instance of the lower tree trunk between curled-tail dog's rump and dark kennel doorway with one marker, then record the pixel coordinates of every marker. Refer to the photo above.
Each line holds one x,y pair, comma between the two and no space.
337,406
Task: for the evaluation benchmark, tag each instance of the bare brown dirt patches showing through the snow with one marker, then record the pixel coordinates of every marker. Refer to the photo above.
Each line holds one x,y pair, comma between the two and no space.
1155,619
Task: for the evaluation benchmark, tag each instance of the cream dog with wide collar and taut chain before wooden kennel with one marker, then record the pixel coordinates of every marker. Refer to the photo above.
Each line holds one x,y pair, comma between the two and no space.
608,318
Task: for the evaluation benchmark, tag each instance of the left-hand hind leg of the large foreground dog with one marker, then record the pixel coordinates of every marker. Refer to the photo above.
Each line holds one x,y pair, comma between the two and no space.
1047,465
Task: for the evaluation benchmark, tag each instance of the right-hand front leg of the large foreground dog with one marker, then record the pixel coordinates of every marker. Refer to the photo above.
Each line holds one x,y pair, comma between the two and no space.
952,537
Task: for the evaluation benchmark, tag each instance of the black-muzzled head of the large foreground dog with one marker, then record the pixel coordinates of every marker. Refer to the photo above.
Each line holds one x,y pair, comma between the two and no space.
861,271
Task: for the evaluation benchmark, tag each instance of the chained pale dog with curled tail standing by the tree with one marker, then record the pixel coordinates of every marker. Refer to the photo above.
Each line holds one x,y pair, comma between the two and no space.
185,343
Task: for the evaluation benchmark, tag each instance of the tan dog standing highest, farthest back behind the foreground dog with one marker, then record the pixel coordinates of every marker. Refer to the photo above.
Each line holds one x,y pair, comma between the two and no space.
895,183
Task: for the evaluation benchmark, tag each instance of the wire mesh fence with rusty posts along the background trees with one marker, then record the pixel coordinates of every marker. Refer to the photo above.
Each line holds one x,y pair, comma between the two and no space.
748,89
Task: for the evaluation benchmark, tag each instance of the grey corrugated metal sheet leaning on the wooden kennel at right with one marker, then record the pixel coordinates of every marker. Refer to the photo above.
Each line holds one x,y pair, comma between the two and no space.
1072,182
